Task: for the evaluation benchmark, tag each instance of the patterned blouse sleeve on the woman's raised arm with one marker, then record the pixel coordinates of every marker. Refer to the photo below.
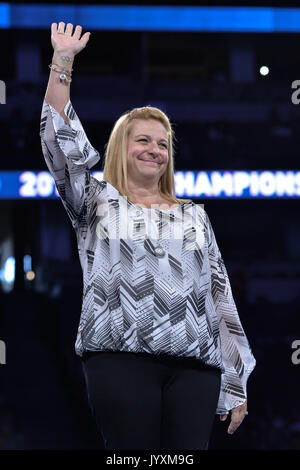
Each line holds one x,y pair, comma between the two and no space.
69,157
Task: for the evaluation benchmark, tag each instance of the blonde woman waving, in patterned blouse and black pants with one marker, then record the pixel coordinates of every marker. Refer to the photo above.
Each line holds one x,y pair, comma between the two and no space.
160,339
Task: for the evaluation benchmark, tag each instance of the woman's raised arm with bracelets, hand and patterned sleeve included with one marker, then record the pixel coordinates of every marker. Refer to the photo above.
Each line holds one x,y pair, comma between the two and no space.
66,148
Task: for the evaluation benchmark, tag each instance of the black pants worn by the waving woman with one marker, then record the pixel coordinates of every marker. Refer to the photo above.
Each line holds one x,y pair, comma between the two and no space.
144,401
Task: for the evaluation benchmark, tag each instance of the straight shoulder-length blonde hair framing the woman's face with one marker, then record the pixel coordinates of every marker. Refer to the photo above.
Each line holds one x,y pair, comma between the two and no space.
115,165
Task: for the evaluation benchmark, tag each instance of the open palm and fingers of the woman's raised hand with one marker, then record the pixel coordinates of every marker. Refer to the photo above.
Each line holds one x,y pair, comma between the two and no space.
65,40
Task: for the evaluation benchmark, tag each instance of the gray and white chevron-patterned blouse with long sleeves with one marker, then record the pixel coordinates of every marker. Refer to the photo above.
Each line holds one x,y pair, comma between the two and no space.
180,304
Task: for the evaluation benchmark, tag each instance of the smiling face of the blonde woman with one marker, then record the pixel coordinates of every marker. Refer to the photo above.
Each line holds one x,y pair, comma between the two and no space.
147,151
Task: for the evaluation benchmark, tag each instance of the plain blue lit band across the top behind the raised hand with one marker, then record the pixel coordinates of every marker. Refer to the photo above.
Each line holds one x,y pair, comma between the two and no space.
153,18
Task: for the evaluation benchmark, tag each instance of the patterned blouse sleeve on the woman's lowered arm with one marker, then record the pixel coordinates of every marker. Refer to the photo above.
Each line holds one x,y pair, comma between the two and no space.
237,357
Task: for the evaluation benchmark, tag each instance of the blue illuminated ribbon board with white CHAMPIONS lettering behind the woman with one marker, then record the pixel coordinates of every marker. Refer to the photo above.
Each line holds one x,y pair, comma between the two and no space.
267,184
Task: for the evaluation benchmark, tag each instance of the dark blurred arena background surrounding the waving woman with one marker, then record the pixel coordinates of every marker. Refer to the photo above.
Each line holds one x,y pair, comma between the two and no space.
228,116
